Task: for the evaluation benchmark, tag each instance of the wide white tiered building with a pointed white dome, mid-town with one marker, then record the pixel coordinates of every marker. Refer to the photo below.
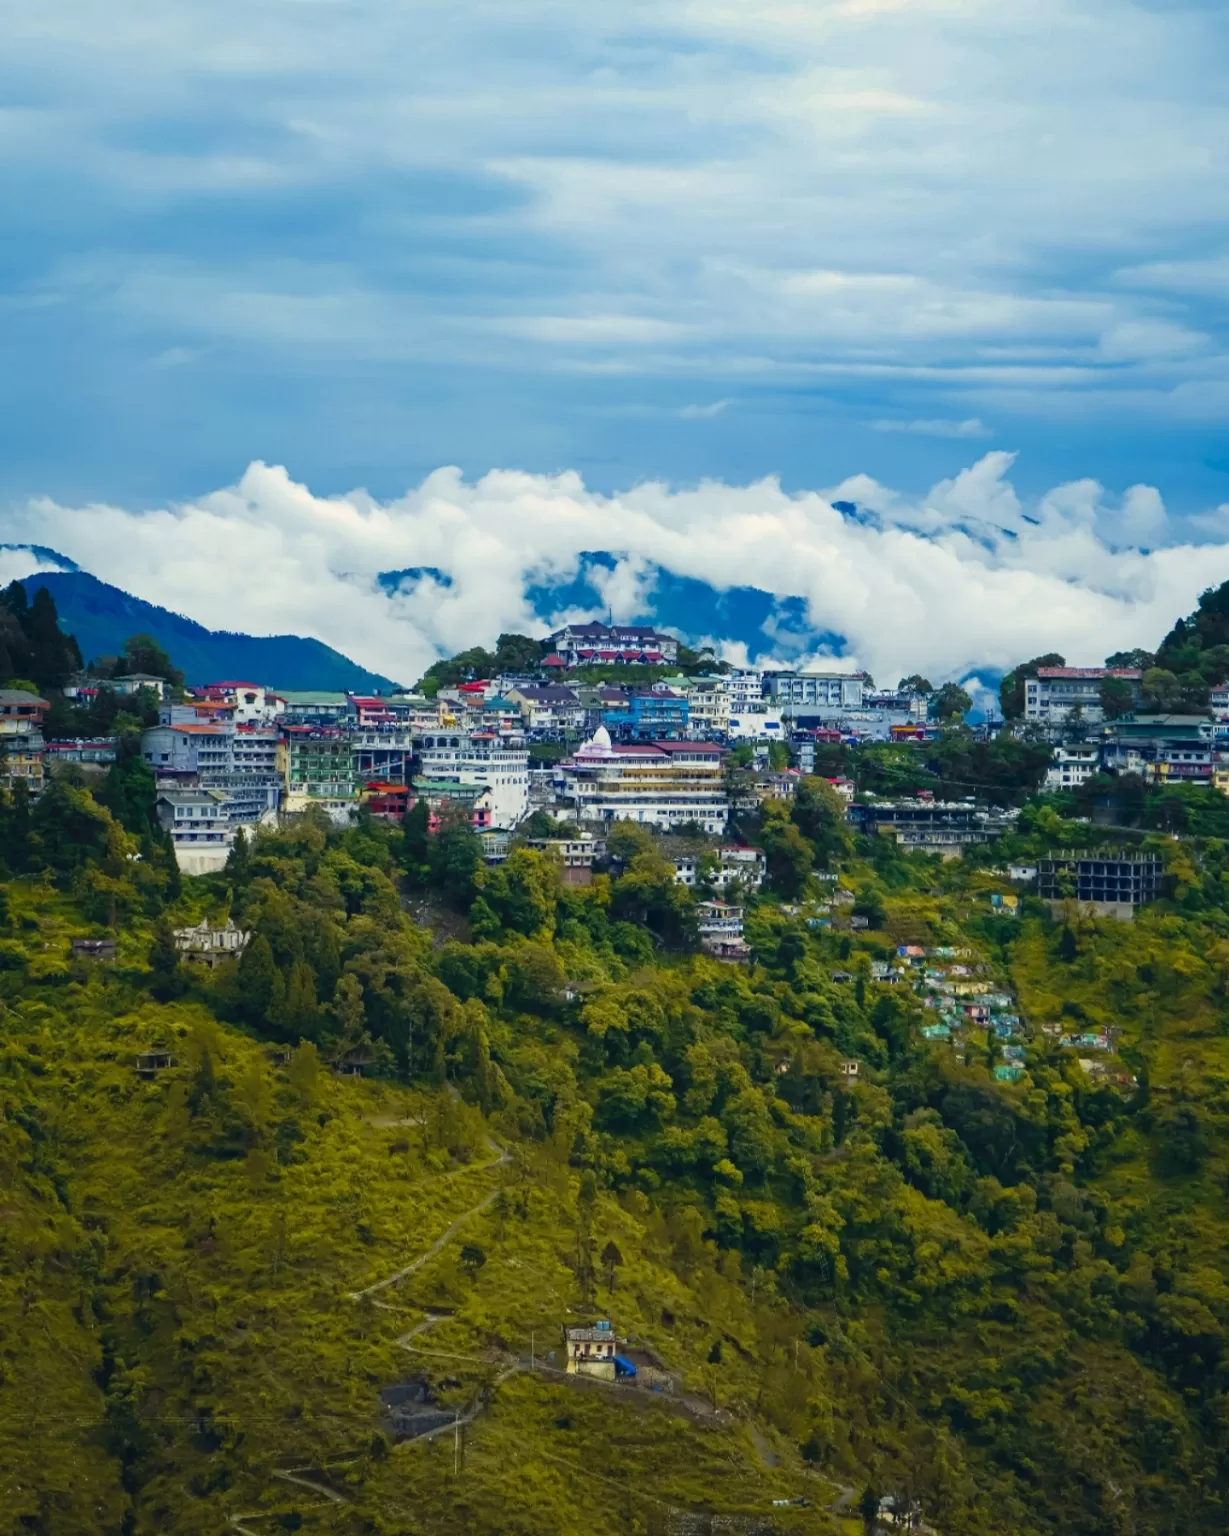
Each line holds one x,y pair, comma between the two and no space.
661,784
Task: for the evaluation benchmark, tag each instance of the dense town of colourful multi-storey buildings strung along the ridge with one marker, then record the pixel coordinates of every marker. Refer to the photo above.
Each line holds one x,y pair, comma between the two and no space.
600,724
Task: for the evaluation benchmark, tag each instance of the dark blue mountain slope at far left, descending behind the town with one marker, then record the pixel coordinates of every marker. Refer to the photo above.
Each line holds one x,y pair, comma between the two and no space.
104,617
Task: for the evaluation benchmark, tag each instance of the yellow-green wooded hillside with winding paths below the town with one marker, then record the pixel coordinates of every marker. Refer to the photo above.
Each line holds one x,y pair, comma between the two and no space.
1002,1299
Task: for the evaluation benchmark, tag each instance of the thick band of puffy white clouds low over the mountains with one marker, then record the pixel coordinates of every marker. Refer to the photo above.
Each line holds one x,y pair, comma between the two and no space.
962,578
